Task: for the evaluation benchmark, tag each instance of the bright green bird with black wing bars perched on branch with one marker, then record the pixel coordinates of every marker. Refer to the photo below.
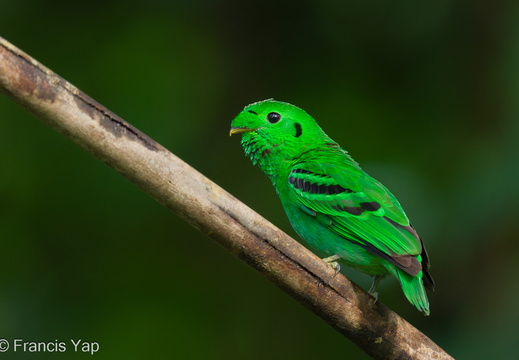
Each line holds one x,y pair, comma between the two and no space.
330,201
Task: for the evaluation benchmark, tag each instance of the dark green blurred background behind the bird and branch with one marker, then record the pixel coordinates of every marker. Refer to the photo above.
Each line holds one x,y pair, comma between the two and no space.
423,95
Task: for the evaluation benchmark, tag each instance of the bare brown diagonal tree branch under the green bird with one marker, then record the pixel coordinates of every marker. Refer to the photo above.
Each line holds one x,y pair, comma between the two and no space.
209,208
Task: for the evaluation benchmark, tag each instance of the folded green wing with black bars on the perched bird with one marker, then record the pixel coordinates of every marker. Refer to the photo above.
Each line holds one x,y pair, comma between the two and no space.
358,208
